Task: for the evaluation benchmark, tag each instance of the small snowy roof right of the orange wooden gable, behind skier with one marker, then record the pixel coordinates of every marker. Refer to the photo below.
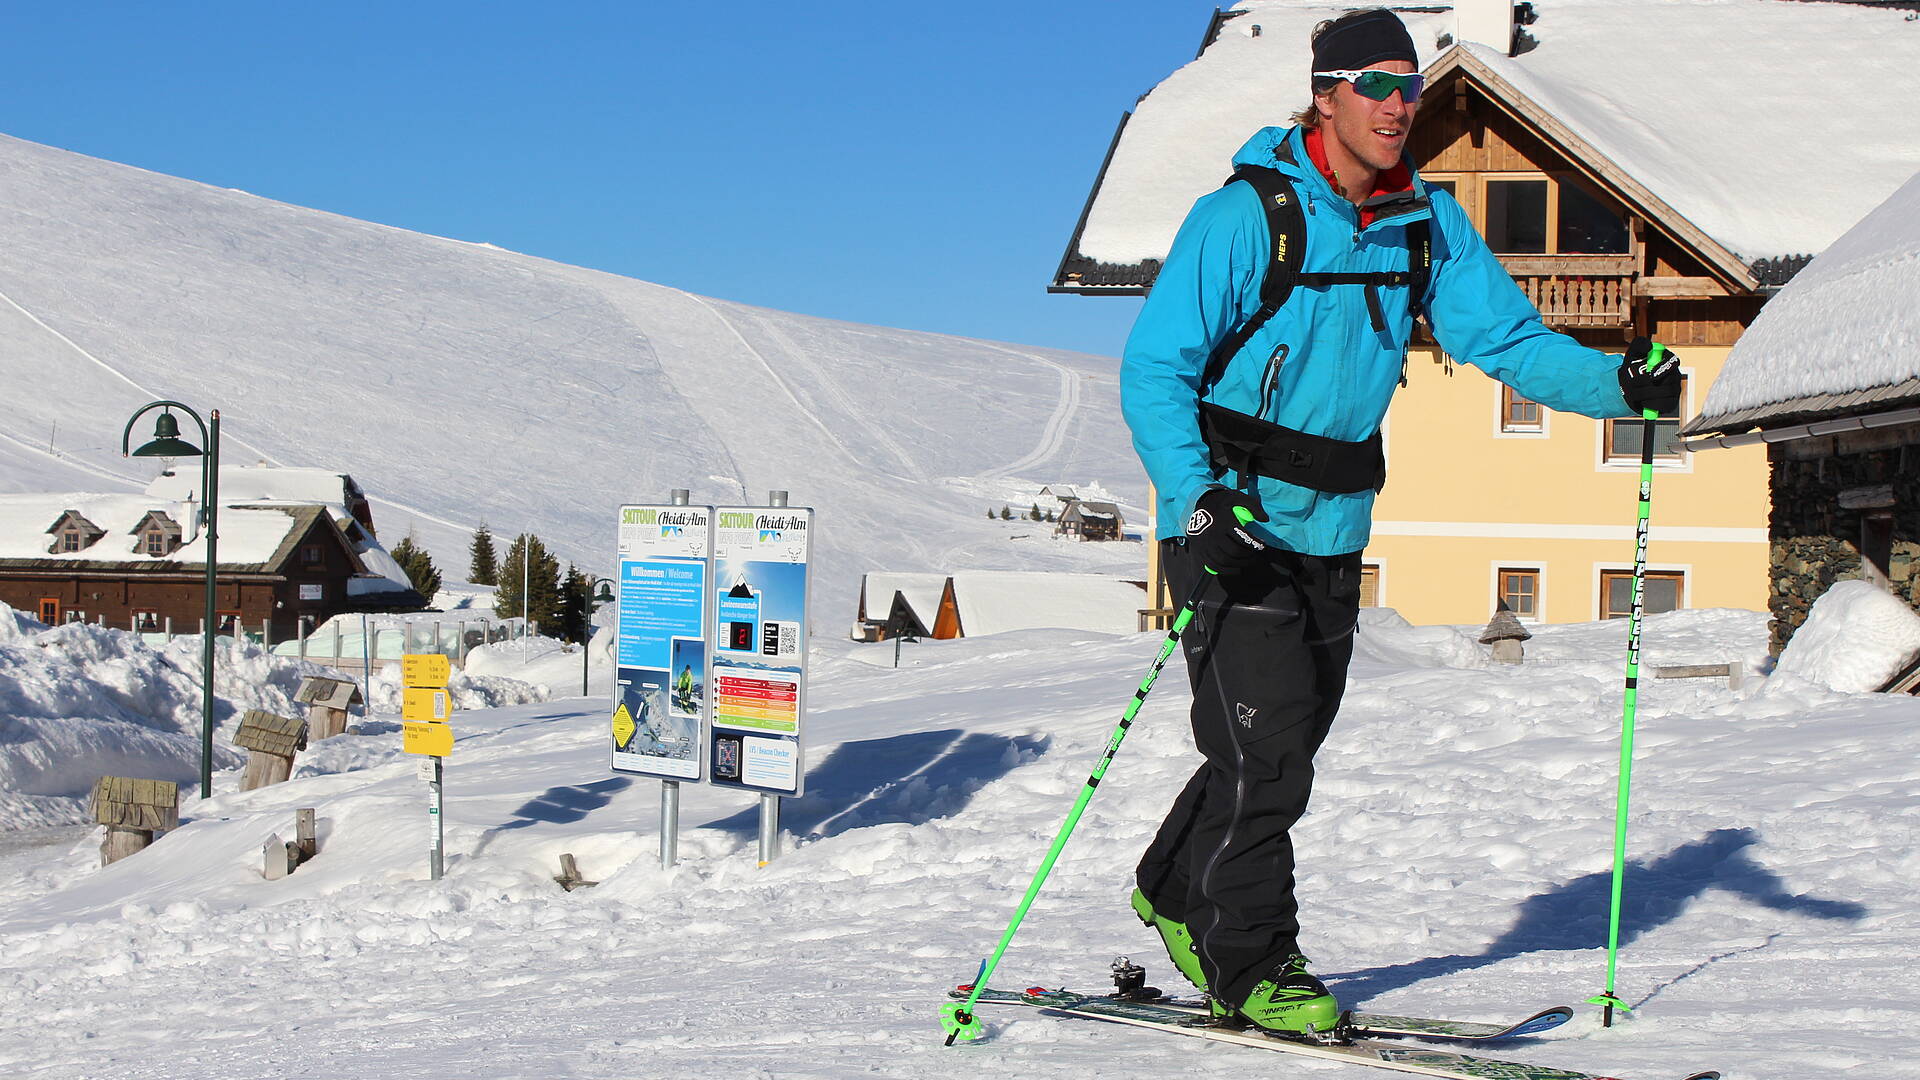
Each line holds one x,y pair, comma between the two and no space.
996,602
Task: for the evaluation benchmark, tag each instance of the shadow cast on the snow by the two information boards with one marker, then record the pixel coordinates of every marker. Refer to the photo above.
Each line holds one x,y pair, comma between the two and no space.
901,779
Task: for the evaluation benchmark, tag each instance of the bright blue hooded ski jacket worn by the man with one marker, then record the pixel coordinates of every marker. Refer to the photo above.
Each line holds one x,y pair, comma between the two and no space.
1318,366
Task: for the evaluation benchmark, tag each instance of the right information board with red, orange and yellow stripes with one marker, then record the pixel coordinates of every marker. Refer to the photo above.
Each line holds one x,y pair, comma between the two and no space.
759,666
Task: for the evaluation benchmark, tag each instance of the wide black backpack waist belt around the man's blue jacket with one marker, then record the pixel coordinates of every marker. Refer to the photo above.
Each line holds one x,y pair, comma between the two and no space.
1260,449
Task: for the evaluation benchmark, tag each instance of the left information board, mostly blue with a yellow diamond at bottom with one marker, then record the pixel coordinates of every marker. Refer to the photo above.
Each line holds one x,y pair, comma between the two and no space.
661,664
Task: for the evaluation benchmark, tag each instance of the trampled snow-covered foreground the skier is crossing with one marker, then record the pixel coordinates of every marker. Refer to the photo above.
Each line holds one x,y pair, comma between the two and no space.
1454,862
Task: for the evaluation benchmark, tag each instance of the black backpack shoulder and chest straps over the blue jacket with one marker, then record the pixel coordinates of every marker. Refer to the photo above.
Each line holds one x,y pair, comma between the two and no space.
1289,230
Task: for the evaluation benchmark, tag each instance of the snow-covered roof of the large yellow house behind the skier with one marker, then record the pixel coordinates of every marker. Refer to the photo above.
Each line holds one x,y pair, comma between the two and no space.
1731,112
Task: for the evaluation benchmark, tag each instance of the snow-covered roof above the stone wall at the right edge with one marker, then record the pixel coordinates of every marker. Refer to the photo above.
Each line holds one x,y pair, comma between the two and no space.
1844,335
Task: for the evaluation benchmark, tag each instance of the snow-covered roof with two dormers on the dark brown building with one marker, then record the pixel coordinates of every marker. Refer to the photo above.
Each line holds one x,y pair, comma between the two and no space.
249,537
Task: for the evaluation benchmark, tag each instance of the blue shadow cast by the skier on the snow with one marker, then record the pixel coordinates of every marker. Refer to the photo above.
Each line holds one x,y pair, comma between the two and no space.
1575,914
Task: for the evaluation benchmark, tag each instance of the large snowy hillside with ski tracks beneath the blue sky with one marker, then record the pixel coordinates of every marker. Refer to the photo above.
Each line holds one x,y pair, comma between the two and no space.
448,376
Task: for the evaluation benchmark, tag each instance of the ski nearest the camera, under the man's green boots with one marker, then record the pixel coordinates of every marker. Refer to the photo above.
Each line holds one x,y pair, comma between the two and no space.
1380,1054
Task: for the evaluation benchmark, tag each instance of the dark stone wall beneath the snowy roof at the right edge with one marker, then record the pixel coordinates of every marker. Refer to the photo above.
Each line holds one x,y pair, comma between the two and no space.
1817,543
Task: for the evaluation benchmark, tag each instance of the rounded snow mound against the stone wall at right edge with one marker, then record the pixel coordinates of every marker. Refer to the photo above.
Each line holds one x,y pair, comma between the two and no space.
1854,641
